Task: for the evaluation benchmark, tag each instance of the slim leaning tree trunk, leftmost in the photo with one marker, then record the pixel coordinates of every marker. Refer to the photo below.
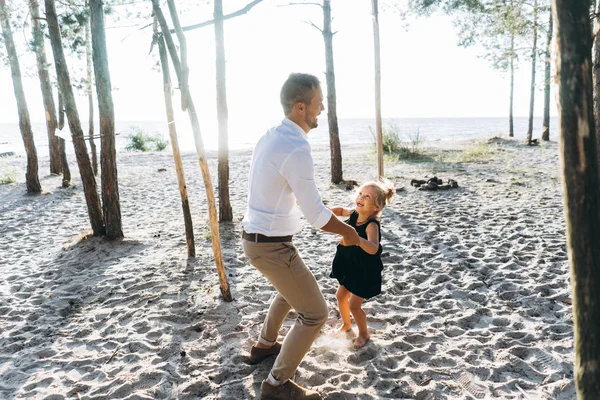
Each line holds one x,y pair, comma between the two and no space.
31,175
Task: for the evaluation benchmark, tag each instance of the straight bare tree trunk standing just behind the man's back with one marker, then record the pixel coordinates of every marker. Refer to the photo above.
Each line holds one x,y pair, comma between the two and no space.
225,211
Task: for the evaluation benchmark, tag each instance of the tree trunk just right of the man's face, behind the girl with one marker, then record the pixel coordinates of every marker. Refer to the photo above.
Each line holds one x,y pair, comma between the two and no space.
334,134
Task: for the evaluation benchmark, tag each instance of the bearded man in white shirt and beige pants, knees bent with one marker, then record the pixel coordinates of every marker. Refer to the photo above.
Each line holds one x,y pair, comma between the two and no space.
281,180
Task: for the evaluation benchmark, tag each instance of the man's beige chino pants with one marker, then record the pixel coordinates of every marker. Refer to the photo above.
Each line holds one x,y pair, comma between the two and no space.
297,288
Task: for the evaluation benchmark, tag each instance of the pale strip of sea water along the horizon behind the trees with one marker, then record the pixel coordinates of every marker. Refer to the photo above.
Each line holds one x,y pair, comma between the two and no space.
244,134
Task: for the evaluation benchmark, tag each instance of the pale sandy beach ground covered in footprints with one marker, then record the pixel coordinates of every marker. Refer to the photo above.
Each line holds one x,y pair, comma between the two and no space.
475,303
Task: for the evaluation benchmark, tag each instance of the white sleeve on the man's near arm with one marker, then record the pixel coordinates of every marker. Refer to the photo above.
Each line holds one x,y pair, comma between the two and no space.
298,170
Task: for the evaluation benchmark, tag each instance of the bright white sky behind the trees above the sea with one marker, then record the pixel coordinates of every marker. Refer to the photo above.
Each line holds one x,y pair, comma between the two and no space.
424,72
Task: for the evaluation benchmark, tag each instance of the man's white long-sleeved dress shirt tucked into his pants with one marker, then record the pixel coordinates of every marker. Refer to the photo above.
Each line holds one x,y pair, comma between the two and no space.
281,173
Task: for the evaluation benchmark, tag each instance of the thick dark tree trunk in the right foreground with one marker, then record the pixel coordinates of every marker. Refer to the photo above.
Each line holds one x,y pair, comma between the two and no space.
581,182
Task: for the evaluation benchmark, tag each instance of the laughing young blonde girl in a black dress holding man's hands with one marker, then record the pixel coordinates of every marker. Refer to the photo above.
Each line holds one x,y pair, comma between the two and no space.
358,268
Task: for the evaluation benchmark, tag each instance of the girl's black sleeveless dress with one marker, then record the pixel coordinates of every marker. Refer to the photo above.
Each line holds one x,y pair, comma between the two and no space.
357,270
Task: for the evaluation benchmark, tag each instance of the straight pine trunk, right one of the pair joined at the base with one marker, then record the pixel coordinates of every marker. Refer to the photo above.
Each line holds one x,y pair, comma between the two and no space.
108,155
